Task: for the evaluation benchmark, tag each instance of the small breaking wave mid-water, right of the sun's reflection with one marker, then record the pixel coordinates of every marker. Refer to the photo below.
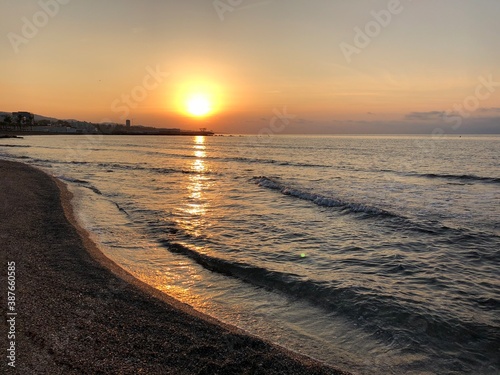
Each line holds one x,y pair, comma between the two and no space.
322,200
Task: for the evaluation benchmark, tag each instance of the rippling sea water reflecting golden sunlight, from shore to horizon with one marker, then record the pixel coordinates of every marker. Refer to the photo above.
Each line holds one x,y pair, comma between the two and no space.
378,254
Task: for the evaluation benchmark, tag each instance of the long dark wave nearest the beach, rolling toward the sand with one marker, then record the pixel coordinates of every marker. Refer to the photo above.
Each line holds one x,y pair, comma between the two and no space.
382,315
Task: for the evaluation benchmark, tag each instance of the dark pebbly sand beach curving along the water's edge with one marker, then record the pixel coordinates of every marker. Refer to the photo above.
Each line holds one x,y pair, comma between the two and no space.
78,313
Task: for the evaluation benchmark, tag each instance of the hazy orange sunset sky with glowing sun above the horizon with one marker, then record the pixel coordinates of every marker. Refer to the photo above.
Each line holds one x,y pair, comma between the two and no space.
257,66
